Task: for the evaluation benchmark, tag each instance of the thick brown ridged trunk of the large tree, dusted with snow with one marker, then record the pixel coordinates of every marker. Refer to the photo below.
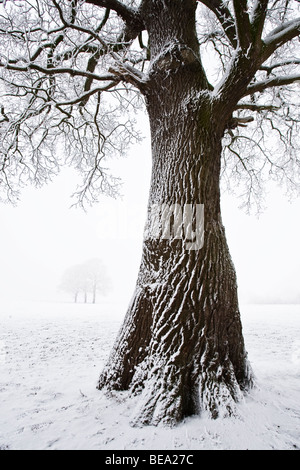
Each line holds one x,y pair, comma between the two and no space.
181,345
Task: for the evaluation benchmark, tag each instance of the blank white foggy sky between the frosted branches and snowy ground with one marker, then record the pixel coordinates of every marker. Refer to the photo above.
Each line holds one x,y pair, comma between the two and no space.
42,236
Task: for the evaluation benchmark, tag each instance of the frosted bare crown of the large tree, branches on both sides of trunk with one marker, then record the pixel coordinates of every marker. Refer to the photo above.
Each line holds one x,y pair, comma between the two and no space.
73,71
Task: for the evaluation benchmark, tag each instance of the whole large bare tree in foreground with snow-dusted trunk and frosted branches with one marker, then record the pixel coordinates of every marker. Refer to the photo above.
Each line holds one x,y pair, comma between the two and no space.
219,81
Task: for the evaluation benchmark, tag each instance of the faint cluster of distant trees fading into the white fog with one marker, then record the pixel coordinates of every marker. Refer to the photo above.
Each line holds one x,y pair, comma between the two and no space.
86,280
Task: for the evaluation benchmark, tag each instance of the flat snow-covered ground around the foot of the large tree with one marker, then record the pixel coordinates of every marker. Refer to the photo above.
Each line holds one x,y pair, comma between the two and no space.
51,356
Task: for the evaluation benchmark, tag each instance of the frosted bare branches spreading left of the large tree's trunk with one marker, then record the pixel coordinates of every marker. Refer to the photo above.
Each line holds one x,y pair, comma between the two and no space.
54,66
